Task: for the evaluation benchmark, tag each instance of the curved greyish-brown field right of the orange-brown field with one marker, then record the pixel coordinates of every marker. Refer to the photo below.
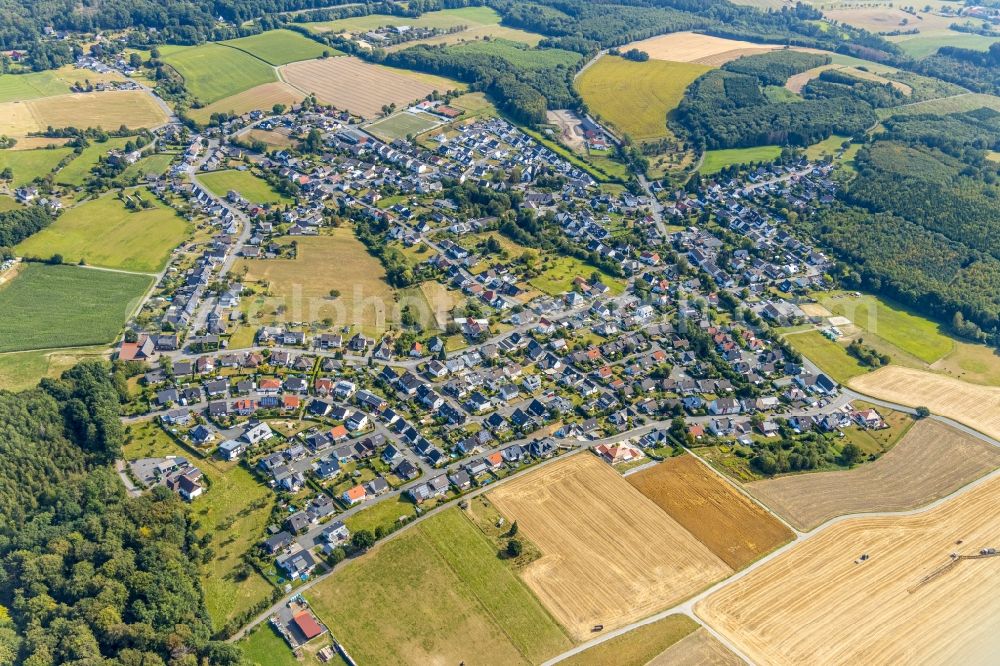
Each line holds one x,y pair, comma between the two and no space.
931,461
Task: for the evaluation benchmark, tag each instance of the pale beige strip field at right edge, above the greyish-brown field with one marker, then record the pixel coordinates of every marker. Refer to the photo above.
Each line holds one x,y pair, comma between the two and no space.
973,405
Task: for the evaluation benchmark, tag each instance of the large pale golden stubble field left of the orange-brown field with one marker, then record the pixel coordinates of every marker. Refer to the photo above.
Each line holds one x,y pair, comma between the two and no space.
609,555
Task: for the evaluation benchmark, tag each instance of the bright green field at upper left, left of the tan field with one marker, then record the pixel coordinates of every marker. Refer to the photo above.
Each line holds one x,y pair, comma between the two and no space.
213,71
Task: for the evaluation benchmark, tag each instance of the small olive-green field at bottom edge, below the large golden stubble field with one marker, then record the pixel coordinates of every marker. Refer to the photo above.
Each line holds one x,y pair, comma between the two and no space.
637,647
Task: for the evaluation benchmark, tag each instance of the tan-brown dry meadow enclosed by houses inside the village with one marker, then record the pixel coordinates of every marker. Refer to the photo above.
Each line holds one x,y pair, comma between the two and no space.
300,288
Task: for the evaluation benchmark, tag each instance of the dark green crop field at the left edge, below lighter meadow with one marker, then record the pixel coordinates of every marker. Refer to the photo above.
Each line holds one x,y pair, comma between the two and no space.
65,306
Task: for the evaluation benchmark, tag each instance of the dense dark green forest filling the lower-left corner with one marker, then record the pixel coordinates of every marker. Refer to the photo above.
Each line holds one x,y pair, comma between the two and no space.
87,574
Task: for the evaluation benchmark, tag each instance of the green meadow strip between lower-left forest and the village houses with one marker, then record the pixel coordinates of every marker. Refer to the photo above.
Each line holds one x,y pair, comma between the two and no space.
234,510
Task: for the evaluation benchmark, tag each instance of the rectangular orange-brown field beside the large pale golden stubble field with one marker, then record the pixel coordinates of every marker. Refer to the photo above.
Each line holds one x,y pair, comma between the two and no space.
732,525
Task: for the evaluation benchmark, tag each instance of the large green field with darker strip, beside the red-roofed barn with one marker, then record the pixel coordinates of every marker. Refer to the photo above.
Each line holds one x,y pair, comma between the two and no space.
437,594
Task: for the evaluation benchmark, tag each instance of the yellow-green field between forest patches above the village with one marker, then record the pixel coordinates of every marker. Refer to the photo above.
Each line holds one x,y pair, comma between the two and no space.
635,97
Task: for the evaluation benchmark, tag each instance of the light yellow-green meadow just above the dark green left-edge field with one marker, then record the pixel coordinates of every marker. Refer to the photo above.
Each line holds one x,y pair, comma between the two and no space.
103,232
